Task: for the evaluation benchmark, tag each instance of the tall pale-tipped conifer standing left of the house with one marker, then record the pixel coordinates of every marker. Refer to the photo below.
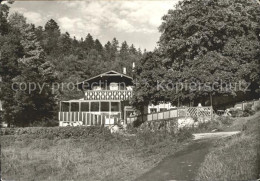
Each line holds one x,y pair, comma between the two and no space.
37,105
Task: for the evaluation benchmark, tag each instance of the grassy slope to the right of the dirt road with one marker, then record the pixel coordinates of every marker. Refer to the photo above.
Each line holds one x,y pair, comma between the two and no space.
235,158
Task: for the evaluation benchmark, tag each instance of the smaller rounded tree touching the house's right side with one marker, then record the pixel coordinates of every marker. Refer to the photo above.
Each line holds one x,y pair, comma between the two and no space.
148,73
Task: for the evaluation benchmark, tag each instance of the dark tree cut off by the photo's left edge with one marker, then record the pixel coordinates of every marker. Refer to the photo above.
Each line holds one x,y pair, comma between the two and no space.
10,51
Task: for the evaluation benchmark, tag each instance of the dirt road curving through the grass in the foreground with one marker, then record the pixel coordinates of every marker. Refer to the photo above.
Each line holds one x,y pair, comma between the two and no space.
184,164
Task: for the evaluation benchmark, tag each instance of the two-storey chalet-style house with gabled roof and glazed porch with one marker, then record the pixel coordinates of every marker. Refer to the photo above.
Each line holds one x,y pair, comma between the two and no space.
106,101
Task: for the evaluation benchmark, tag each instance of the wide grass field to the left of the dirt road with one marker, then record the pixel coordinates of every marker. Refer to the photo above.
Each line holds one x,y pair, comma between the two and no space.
96,157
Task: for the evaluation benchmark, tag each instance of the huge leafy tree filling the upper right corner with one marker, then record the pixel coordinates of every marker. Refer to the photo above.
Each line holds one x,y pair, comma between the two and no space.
209,41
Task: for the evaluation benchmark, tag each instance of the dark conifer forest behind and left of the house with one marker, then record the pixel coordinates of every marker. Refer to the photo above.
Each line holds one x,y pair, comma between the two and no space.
45,55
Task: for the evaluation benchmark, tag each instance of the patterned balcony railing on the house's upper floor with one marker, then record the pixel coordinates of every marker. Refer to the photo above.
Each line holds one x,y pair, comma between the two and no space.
108,94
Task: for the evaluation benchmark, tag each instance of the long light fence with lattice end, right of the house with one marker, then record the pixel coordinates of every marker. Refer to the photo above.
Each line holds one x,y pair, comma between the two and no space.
179,112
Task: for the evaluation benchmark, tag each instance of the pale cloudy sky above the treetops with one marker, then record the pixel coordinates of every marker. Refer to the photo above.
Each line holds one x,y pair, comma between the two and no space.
135,21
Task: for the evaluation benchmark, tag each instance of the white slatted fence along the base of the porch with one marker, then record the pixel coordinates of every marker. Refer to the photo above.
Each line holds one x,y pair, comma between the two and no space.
85,118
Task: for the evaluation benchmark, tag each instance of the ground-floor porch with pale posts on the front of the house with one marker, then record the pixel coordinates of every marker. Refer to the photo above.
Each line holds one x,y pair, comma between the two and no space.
89,113
